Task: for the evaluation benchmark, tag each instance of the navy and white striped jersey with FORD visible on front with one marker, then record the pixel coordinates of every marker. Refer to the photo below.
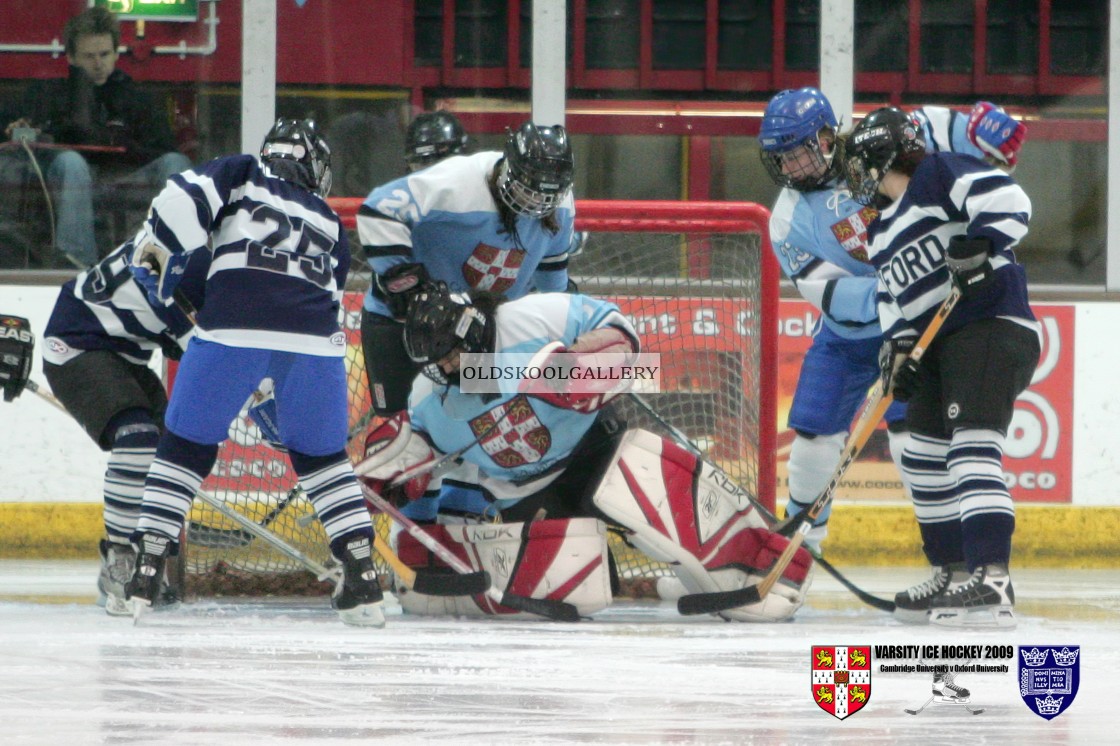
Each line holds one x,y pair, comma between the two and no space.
949,195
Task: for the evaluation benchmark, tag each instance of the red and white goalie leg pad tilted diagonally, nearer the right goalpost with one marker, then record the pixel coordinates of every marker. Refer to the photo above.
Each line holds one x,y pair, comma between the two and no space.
683,511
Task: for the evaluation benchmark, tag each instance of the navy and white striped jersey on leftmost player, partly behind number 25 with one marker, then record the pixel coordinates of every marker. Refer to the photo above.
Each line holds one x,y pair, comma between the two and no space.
106,309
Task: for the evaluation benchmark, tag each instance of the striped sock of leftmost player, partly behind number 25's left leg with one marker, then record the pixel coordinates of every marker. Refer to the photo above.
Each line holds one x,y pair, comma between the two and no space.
135,441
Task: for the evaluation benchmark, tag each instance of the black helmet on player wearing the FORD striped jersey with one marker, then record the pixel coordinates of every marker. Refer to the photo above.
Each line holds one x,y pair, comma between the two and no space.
888,138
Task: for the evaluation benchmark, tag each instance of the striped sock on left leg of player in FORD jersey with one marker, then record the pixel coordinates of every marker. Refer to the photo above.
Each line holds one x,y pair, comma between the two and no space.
935,493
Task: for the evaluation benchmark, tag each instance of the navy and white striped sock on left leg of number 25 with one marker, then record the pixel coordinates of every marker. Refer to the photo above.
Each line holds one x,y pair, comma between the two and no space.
175,477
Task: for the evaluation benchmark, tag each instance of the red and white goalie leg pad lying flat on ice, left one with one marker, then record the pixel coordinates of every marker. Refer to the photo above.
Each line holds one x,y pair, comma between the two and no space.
556,559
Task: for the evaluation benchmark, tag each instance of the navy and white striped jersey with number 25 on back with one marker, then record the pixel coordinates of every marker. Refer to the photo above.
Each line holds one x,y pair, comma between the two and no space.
279,256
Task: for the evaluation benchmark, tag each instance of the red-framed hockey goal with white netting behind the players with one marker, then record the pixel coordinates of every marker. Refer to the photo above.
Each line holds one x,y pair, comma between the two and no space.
699,283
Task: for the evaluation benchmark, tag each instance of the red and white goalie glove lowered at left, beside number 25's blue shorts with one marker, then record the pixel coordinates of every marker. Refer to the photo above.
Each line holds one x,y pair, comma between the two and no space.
391,451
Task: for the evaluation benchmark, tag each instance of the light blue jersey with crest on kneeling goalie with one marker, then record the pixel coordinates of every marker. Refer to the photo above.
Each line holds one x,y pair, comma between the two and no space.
522,437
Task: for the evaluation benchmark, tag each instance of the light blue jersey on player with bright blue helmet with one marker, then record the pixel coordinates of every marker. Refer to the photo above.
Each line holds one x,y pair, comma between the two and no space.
820,238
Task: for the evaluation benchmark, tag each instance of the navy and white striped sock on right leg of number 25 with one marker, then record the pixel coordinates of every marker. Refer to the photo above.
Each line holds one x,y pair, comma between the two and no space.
333,490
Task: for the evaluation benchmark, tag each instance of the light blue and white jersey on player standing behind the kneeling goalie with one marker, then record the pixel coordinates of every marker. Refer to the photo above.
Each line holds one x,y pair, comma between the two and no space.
445,218
